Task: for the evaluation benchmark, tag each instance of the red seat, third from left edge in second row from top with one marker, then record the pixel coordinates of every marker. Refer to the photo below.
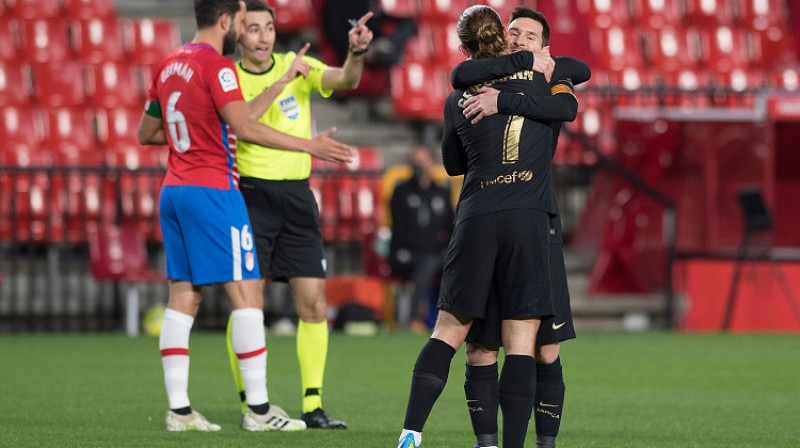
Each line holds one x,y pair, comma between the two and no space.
98,40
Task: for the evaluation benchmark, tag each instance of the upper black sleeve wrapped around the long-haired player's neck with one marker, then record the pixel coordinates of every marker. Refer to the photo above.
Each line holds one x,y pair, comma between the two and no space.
471,72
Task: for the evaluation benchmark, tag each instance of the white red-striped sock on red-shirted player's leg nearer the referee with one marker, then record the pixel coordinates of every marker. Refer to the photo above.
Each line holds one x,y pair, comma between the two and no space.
249,344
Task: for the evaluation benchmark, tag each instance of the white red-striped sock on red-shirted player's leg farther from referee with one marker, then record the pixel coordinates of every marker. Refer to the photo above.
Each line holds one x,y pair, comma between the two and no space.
174,345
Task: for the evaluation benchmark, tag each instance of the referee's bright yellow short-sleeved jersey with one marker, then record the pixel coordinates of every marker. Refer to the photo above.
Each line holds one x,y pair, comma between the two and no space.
290,113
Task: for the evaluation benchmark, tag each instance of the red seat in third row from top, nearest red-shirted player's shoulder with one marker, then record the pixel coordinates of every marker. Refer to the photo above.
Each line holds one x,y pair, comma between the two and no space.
113,84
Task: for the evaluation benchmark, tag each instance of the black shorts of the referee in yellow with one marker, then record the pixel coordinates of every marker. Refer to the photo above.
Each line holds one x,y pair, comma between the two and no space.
285,220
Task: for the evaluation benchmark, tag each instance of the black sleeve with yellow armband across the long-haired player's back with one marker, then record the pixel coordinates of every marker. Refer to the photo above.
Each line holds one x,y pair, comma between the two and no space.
561,106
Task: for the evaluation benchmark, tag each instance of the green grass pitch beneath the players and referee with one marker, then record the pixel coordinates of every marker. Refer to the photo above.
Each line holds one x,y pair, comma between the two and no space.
623,390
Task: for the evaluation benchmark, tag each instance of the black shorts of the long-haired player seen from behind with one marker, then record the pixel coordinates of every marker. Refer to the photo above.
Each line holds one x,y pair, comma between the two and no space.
504,254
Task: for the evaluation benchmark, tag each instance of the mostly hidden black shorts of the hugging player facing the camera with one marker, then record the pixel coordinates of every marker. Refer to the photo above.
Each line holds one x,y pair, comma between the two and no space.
554,329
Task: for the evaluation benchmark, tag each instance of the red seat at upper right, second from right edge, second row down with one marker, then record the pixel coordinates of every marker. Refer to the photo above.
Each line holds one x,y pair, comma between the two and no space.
724,48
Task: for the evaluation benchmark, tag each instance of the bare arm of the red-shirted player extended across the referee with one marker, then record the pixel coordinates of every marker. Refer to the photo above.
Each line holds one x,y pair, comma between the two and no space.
237,115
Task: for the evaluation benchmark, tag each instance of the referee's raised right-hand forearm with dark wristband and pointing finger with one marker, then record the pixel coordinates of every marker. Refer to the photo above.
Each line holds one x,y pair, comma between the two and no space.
348,76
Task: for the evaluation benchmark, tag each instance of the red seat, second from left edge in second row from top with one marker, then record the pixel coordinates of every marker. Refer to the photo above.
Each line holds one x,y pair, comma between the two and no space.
44,40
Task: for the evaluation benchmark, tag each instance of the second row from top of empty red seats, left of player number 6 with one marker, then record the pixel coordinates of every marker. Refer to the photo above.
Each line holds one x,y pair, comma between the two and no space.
95,40
